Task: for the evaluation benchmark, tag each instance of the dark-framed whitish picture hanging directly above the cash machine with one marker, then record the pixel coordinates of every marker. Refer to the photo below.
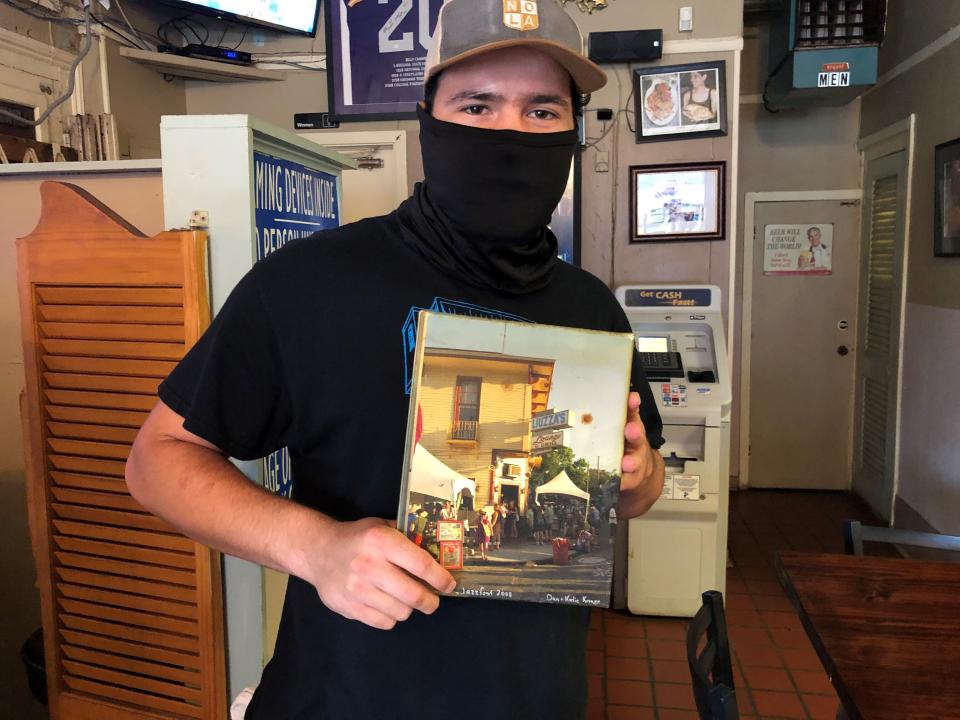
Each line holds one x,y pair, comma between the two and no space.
680,201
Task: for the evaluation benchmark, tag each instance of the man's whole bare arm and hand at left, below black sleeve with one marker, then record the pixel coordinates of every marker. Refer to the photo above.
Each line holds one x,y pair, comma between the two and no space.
364,570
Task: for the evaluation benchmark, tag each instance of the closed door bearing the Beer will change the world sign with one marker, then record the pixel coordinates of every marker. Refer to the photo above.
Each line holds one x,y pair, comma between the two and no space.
802,338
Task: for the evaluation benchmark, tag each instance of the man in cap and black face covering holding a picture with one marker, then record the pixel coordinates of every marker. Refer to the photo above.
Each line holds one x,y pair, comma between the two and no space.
301,356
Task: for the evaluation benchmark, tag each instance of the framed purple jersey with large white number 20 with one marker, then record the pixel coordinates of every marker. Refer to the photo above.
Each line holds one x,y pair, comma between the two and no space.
376,56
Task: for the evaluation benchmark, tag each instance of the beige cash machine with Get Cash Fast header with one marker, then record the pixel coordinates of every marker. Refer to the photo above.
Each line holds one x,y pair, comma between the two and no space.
678,549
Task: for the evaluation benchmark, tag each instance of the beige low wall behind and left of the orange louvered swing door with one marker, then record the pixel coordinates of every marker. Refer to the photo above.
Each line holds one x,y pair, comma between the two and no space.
137,198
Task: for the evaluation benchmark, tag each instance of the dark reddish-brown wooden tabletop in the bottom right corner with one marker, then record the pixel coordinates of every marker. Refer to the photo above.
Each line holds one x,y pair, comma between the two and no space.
886,630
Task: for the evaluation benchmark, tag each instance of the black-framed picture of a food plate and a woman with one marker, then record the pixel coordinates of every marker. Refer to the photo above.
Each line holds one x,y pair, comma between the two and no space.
680,101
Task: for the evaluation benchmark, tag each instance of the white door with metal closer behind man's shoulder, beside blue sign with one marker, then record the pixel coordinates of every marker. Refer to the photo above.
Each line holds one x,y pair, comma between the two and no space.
369,191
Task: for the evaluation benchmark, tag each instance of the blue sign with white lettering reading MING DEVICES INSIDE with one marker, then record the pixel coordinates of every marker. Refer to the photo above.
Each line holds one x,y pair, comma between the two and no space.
291,201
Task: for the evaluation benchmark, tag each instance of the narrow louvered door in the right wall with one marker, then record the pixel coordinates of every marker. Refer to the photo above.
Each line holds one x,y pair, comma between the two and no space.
878,343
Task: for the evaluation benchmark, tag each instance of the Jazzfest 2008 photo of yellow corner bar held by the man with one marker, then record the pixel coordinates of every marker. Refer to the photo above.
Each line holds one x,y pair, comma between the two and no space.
514,443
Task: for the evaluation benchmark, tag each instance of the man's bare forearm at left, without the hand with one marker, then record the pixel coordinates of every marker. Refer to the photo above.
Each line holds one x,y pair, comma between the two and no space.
201,493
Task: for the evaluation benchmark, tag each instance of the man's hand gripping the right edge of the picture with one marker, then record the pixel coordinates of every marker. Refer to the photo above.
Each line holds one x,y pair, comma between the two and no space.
642,468
